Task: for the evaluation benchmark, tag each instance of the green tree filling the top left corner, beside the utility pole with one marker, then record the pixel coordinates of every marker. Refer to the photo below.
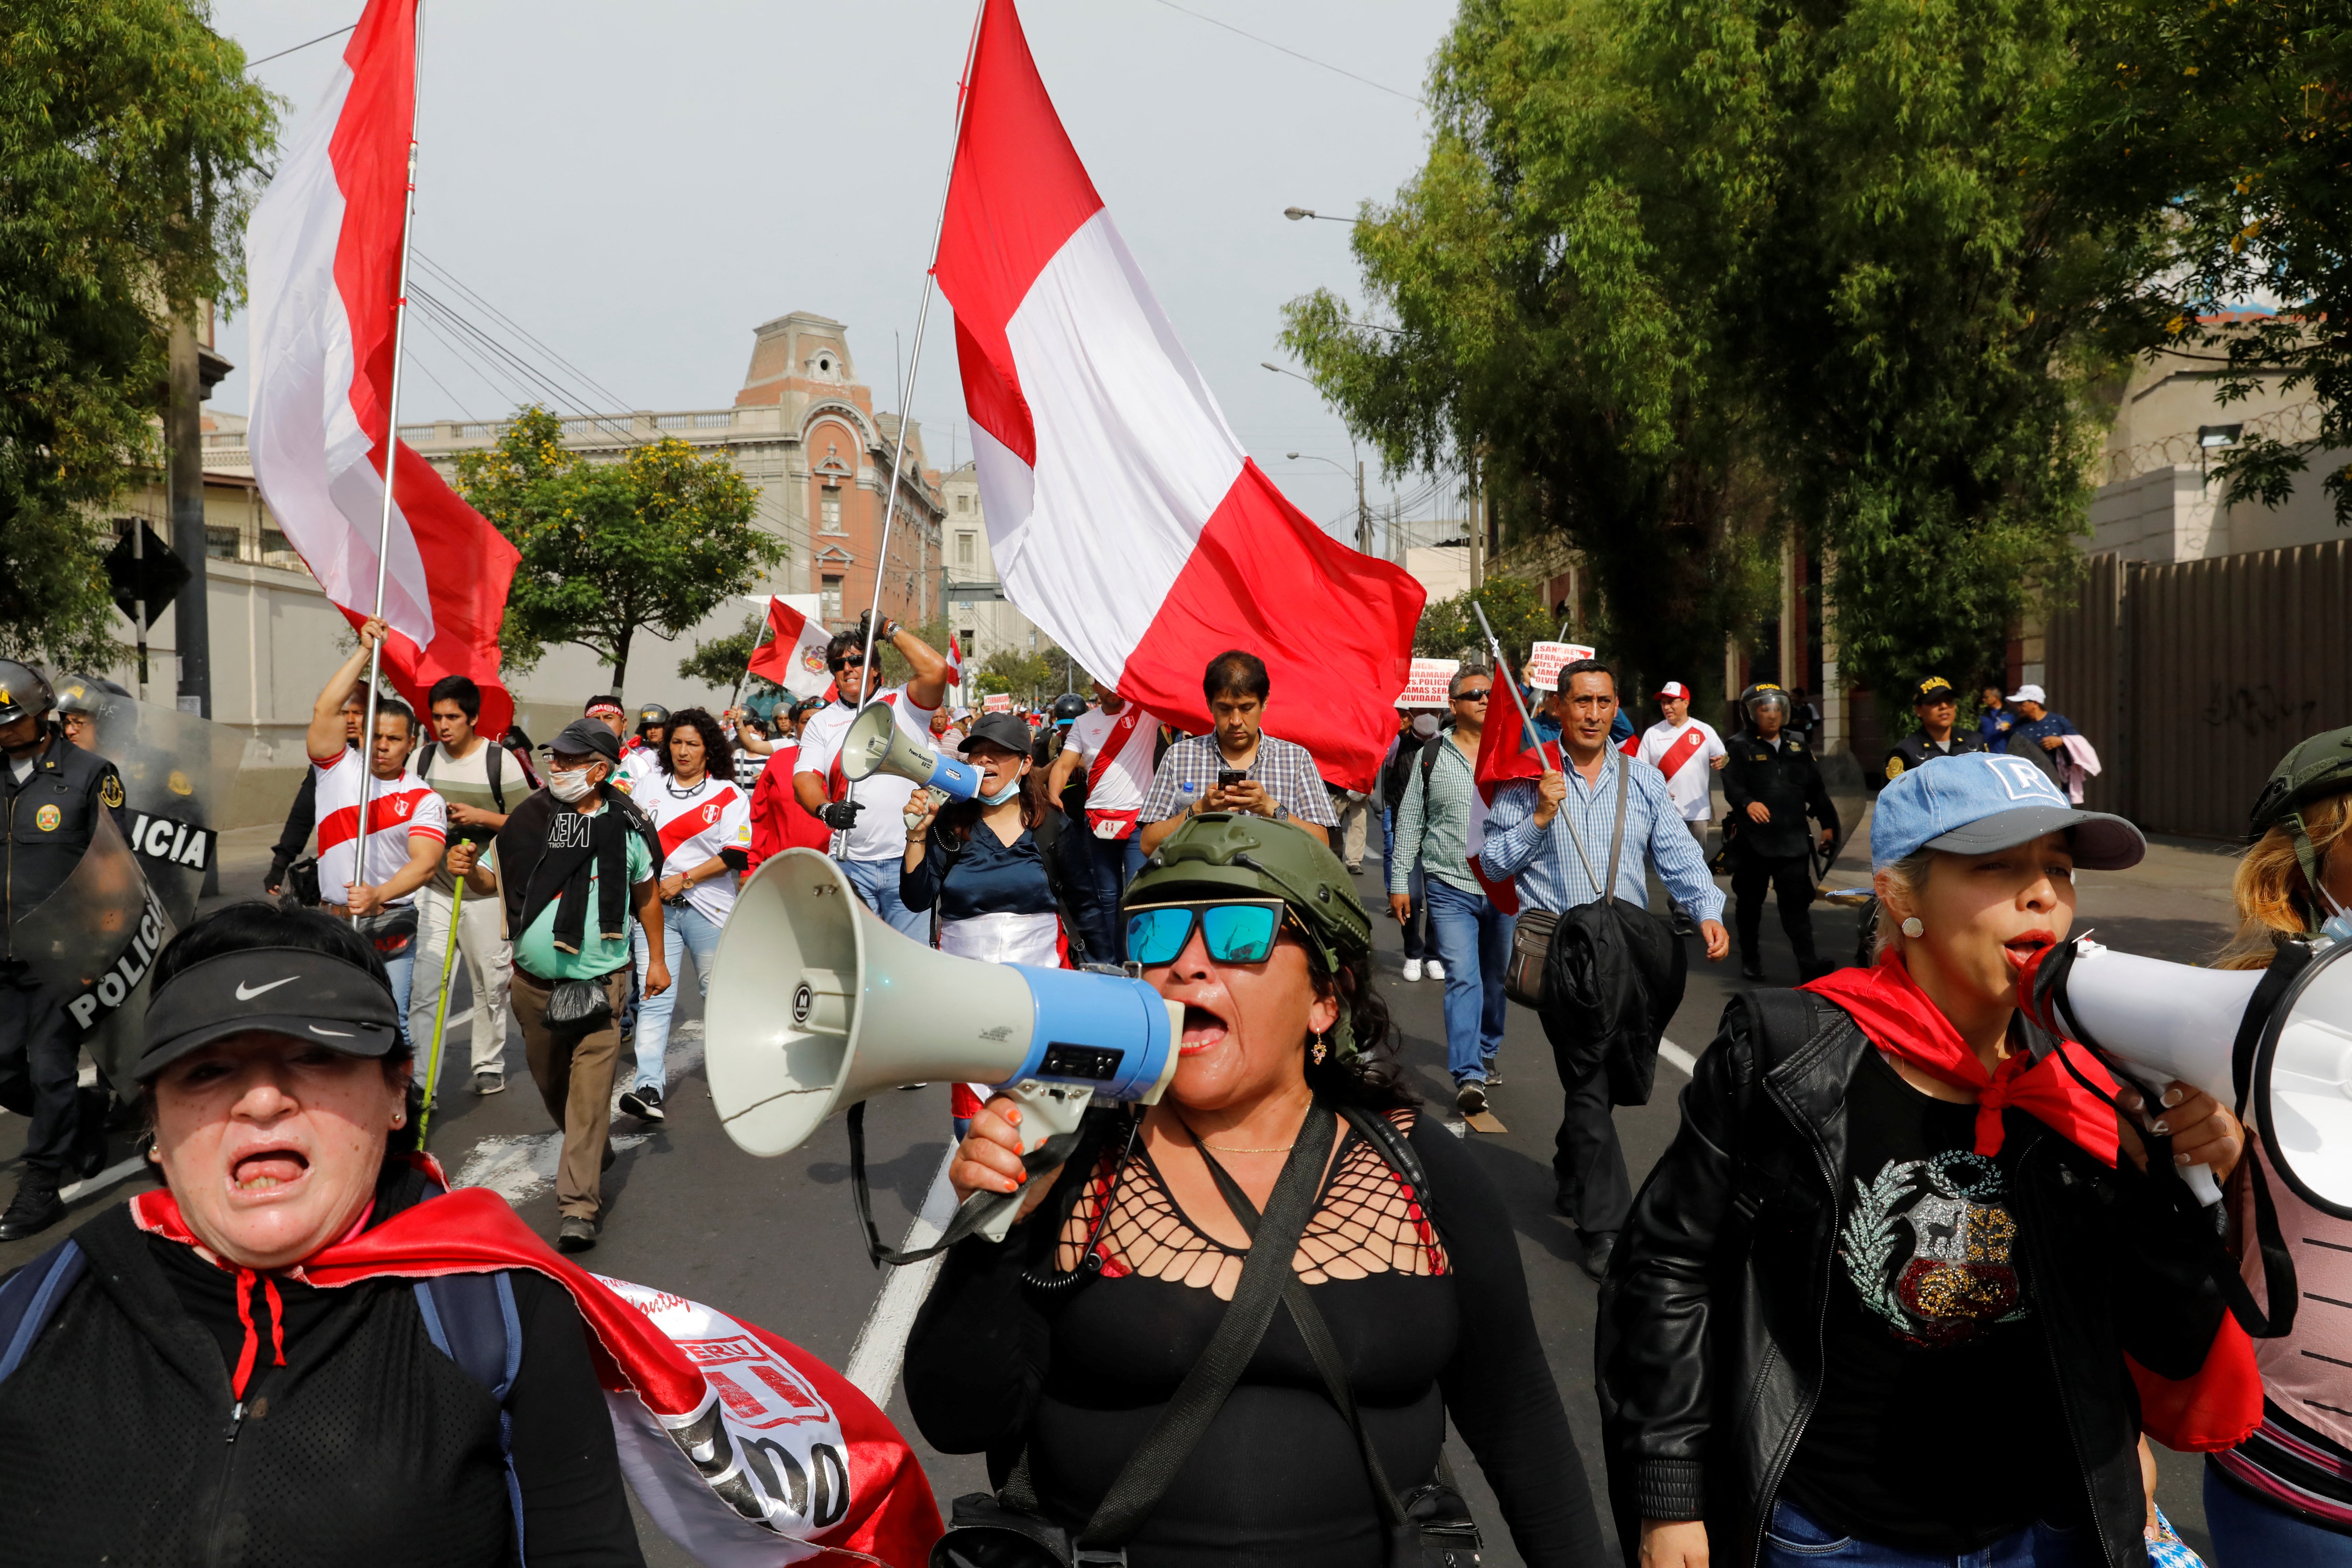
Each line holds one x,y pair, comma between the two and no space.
131,154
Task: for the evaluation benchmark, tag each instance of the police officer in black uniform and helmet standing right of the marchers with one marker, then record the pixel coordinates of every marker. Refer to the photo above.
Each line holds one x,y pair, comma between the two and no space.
1772,784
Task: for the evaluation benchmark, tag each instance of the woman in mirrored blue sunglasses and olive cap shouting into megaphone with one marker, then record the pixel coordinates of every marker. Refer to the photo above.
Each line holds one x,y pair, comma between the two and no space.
1231,1327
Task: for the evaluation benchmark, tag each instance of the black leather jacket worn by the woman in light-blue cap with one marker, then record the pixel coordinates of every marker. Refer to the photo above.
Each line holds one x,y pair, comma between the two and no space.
1711,1322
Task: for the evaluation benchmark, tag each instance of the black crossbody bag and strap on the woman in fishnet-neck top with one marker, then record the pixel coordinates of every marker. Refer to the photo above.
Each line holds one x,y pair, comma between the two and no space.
1010,1529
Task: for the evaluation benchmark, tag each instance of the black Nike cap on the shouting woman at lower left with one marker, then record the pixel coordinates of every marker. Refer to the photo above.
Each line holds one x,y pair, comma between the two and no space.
281,991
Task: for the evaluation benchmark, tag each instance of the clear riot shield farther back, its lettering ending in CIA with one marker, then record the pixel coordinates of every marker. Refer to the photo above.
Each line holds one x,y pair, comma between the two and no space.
178,772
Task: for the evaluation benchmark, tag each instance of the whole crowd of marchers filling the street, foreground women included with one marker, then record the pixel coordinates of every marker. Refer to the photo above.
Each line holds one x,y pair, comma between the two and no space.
1892,1296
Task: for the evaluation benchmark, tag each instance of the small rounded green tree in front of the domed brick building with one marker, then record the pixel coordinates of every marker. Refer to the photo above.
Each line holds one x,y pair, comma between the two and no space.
653,542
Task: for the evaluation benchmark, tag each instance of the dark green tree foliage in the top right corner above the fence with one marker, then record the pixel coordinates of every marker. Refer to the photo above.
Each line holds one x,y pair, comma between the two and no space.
2236,126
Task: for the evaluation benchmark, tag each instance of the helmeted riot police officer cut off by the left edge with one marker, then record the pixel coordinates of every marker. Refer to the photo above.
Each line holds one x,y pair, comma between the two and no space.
51,800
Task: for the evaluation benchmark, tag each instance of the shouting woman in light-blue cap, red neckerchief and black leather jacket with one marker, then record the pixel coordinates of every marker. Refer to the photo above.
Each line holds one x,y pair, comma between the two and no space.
1876,1301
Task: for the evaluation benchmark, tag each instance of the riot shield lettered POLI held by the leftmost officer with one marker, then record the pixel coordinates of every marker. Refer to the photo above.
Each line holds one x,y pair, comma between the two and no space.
91,949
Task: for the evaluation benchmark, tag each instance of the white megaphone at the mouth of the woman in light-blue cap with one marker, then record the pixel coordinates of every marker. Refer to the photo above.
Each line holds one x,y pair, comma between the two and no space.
2290,1047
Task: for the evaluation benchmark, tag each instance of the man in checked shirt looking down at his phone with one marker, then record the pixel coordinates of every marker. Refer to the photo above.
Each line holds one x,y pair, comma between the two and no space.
1236,768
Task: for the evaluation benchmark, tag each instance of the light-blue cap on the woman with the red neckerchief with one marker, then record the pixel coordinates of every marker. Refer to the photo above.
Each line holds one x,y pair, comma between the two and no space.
1982,803
